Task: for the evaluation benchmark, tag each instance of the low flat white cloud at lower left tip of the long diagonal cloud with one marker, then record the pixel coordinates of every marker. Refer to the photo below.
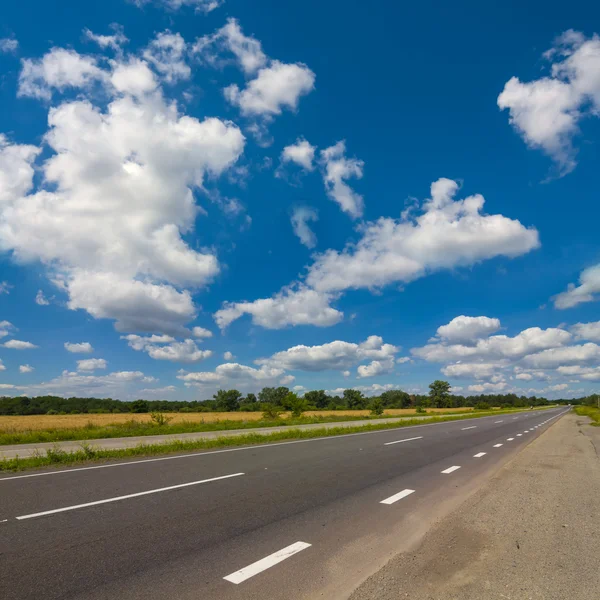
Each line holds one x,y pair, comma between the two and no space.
291,306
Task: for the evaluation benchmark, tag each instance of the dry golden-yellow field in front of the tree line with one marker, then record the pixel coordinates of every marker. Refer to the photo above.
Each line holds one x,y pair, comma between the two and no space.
37,422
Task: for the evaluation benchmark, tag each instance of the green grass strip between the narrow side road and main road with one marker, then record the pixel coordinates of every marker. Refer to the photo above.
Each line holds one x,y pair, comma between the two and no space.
56,456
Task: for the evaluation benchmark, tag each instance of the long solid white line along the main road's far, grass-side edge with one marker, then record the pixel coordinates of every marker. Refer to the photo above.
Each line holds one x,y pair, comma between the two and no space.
201,454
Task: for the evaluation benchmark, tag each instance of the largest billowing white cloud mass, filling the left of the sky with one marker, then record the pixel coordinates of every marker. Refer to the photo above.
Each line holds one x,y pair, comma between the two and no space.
117,194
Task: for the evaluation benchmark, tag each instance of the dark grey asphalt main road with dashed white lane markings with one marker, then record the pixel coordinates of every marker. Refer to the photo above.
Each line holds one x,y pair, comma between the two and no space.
306,519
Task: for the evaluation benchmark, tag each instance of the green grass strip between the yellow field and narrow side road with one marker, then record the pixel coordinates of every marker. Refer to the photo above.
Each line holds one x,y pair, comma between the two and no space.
134,428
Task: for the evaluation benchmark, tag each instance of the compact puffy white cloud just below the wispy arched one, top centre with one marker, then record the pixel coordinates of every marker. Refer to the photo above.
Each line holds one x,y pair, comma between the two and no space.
275,88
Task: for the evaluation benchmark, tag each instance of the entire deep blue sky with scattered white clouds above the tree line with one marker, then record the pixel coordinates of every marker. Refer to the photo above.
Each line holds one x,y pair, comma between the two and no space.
201,194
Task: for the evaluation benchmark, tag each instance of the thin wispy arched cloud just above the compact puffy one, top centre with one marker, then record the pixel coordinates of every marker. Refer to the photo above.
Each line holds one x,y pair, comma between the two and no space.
231,40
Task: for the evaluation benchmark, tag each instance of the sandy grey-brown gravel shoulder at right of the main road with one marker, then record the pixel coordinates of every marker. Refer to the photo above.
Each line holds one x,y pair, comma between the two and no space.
529,534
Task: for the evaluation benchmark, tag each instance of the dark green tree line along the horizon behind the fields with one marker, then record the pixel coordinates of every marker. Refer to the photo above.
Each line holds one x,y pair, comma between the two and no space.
278,397
